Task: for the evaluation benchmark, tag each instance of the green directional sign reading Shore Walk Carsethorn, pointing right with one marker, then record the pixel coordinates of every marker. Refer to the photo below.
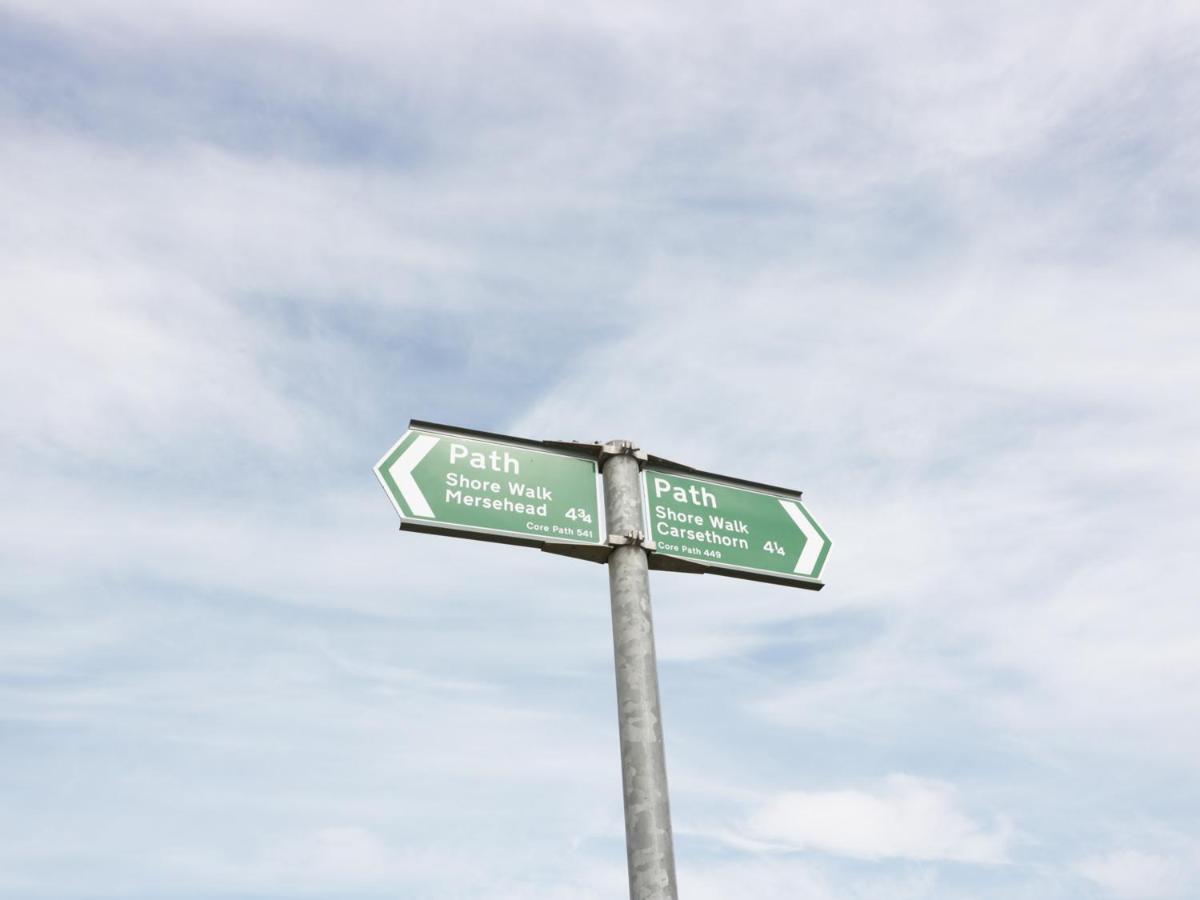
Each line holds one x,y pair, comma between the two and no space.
755,532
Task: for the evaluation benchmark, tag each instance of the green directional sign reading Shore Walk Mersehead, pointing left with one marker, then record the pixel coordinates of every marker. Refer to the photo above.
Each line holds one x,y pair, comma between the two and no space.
491,487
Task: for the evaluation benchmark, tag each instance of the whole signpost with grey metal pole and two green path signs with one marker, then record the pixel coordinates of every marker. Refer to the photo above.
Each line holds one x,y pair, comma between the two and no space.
473,484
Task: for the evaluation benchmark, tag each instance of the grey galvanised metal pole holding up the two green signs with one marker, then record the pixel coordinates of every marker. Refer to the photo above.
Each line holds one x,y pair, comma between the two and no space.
649,843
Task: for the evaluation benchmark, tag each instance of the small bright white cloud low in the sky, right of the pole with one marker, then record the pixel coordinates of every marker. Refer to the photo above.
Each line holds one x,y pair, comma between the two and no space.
907,819
